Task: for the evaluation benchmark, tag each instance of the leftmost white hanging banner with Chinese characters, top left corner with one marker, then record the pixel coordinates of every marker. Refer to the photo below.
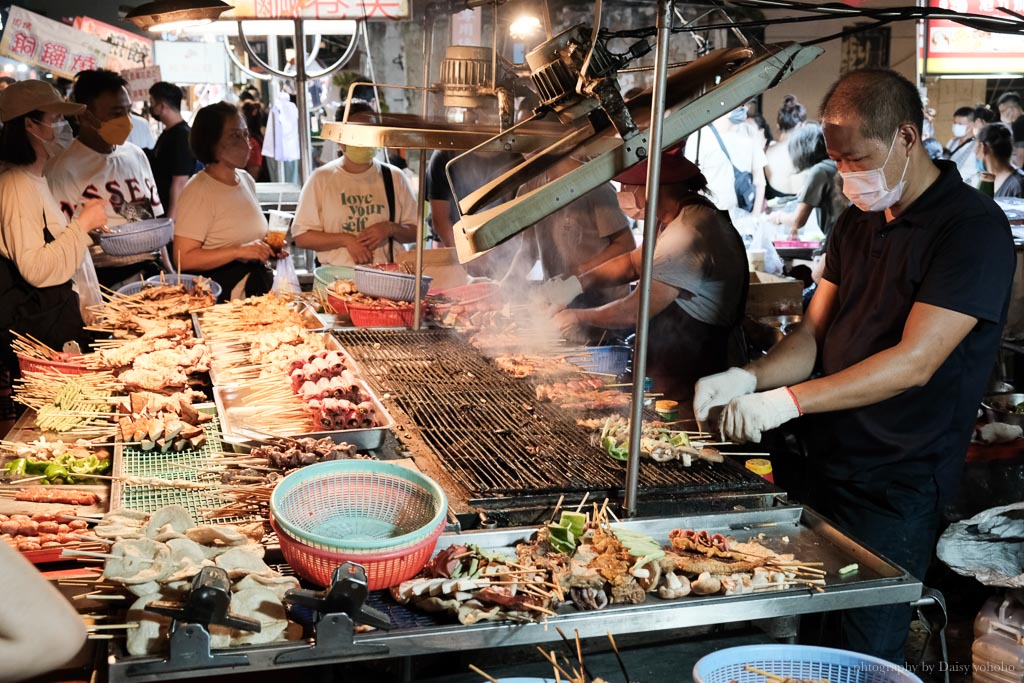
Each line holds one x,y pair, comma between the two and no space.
38,41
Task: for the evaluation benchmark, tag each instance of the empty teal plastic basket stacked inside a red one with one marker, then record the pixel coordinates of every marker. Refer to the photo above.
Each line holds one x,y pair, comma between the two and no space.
359,506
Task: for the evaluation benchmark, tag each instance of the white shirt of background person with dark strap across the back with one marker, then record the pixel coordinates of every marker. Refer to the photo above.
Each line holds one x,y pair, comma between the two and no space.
747,156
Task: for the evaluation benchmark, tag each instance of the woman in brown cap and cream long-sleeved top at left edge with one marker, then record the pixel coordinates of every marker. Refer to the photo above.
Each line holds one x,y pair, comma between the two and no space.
39,249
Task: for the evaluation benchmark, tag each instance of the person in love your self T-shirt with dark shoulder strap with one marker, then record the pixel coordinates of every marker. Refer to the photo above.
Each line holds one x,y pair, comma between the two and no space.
346,216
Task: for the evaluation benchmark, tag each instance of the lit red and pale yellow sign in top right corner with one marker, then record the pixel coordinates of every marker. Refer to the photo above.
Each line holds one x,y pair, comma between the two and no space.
952,49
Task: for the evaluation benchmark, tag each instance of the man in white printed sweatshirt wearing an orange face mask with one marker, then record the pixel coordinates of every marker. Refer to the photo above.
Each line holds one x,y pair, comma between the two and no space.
101,163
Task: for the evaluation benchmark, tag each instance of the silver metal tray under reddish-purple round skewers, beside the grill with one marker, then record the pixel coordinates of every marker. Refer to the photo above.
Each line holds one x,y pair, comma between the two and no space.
235,414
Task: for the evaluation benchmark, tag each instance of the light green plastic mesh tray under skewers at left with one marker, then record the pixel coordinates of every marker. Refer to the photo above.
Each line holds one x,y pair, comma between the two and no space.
184,465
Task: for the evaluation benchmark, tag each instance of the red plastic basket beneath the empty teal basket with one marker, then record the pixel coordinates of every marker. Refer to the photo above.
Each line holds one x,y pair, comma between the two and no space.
383,570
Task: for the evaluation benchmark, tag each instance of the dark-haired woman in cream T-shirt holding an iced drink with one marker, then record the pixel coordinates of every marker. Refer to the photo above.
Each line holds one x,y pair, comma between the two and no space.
220,230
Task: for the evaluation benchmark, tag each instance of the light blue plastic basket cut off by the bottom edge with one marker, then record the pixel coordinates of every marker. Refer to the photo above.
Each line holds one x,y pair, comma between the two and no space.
799,662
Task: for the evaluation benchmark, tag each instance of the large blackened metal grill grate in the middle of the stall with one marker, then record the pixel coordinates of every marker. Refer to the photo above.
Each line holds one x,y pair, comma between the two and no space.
490,433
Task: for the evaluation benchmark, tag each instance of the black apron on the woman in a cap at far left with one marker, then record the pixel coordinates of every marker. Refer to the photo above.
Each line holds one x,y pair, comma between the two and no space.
51,315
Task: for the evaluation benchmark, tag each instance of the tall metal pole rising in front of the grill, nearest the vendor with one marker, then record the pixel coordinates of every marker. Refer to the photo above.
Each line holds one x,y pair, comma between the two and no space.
650,234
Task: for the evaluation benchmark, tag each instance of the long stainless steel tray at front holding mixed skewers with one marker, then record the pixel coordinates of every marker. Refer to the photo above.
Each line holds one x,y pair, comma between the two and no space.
810,537
